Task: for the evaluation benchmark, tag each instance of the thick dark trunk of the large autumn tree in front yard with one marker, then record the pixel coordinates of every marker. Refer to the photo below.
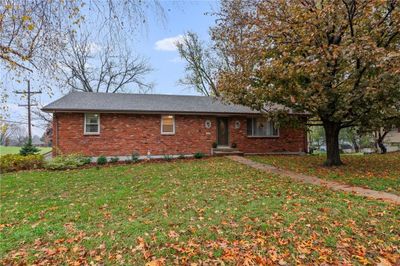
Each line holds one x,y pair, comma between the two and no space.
332,144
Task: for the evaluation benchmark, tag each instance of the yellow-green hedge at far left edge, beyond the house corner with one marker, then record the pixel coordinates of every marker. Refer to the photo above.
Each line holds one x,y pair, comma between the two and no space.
16,162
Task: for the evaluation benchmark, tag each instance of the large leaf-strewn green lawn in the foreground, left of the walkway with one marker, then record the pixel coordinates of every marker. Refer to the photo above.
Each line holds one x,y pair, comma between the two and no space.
206,211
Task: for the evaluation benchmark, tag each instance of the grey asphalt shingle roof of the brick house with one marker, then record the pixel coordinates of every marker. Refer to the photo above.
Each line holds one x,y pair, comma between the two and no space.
143,103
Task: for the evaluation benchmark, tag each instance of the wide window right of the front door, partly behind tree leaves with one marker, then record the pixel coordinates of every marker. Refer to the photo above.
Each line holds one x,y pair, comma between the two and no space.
261,127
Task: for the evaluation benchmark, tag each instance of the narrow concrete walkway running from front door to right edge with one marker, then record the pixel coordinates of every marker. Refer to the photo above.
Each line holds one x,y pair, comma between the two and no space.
319,182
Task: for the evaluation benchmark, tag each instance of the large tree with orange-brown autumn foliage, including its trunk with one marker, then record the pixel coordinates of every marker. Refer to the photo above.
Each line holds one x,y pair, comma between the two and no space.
337,60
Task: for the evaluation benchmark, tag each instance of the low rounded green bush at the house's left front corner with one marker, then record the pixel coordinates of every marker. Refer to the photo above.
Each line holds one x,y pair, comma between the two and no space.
64,162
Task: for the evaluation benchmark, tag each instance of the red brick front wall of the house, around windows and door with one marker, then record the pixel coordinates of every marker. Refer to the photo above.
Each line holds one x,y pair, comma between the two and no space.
121,134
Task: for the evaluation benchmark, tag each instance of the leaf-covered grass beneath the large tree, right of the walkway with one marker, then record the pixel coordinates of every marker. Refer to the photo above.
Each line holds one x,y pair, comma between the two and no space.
375,171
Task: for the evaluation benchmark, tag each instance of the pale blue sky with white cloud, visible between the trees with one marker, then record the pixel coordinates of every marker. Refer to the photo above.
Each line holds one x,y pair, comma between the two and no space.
156,43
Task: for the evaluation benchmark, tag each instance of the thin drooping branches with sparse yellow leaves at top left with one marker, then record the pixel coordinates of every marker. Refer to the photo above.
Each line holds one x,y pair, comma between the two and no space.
32,32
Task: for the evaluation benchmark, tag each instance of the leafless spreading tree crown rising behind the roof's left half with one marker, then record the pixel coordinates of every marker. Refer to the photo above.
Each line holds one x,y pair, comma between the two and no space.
87,66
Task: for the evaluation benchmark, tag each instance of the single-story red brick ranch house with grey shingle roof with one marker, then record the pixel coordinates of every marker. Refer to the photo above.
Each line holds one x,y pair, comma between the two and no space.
152,125
